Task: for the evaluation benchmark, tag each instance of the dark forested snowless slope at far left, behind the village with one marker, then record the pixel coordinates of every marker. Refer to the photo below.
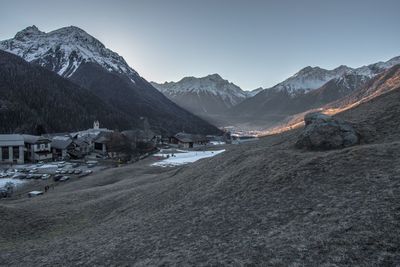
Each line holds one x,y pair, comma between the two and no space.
33,98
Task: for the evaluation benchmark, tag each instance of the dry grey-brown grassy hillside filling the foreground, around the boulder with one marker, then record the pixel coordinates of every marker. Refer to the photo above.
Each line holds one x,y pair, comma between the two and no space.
261,203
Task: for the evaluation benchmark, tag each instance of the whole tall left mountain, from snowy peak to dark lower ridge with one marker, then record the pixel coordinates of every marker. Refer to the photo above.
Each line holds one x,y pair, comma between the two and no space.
74,54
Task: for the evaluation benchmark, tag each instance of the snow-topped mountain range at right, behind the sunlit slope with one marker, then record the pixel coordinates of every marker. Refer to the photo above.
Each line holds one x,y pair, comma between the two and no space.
308,89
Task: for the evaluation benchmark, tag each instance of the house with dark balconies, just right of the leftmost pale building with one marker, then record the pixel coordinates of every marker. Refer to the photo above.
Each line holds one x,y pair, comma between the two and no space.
37,148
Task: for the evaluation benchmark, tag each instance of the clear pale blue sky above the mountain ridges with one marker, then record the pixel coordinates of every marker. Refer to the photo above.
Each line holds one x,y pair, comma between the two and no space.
252,43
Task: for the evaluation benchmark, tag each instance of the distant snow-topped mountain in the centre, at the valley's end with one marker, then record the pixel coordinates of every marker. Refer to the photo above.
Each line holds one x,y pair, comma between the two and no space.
207,96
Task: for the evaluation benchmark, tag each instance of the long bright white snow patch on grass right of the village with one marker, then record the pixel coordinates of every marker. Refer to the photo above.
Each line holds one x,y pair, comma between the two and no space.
184,158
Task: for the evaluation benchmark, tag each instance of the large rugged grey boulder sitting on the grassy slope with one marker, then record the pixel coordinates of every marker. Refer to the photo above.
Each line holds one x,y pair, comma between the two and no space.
323,132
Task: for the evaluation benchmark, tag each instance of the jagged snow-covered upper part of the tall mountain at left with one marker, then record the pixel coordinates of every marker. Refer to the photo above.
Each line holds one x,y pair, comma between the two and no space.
64,50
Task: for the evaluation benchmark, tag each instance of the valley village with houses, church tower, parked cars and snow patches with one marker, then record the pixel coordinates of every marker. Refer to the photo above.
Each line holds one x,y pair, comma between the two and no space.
48,159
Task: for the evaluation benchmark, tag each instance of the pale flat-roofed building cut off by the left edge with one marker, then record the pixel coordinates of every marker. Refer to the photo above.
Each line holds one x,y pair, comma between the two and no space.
11,148
